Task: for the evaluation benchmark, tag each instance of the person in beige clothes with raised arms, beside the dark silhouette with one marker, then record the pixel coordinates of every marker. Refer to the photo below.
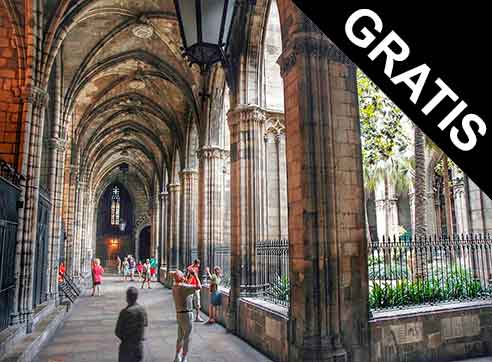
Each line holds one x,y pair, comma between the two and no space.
183,300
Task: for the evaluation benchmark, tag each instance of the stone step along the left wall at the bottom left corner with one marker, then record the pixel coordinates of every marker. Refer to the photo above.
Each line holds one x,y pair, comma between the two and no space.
30,345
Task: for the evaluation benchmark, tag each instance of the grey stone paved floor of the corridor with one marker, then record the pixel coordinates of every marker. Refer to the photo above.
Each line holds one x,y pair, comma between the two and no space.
88,333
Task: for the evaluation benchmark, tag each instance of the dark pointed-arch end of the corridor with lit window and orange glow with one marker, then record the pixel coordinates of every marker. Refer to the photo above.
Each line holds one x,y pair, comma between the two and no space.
114,225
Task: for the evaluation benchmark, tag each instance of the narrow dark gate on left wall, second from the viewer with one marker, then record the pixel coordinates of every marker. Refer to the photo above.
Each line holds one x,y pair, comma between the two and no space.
41,257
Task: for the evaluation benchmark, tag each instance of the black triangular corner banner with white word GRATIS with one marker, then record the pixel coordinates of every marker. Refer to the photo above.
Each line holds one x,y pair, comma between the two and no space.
438,74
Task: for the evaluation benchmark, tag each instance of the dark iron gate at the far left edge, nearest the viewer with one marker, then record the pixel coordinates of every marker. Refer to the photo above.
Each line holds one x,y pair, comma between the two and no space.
9,196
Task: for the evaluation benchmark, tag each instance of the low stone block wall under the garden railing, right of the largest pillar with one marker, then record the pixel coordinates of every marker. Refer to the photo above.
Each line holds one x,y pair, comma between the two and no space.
449,333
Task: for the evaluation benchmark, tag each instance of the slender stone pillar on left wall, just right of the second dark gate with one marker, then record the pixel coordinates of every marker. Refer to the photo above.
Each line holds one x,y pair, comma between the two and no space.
56,176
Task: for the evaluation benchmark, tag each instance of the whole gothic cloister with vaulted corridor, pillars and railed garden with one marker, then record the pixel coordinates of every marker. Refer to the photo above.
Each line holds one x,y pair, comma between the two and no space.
236,133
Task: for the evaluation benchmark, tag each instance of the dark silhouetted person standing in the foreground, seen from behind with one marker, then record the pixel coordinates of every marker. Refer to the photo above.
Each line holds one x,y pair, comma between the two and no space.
130,328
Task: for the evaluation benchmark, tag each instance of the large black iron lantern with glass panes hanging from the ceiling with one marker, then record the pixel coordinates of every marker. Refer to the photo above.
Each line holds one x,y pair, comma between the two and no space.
204,27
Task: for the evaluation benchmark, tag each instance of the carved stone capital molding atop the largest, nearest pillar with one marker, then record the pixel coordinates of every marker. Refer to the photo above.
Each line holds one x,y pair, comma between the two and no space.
309,45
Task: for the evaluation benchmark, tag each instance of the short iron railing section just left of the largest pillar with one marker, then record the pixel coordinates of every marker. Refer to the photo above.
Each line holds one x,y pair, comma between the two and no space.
272,268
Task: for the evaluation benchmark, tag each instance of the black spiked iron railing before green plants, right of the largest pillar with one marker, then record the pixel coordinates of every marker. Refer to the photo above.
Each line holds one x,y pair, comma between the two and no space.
429,270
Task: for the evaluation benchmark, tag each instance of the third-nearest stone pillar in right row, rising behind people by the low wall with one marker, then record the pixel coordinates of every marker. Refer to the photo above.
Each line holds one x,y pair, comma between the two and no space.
210,203
